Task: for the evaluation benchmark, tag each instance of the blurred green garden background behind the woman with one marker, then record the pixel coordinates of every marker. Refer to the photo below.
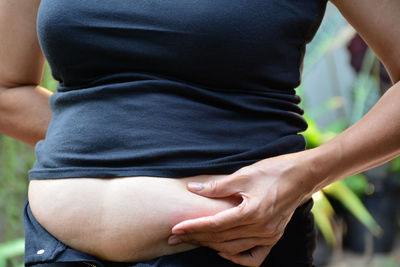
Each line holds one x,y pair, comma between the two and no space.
357,219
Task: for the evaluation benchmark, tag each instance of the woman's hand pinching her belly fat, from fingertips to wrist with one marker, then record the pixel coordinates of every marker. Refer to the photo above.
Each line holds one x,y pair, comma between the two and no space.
270,189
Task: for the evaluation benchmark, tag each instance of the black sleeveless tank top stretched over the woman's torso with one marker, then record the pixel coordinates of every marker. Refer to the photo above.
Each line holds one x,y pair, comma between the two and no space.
172,88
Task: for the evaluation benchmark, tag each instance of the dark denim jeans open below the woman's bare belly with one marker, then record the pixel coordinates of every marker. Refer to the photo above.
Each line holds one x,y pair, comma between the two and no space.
294,249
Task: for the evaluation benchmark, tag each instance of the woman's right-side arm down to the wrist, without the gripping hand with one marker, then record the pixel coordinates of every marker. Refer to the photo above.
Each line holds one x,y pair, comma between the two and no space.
375,139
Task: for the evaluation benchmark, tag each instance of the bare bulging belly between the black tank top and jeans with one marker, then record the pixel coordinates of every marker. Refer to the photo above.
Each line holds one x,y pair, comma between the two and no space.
120,219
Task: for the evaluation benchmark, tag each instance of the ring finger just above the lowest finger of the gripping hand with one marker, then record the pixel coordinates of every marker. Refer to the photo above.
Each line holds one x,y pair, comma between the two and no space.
234,247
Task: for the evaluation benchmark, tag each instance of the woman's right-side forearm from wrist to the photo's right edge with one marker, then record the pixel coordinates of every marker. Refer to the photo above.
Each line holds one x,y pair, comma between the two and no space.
370,142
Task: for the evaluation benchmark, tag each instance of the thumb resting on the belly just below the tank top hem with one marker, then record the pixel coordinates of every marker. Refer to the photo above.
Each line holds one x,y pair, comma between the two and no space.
219,187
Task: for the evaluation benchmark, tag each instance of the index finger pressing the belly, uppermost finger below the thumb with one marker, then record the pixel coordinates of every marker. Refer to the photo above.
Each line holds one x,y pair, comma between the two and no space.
221,221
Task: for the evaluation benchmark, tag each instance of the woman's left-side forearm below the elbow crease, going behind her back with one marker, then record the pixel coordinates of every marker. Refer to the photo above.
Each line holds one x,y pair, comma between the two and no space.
25,113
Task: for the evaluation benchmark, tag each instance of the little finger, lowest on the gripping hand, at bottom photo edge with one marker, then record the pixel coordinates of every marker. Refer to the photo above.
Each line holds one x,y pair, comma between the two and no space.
254,257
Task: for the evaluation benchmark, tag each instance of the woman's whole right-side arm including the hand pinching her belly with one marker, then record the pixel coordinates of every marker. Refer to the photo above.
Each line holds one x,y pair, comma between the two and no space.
288,180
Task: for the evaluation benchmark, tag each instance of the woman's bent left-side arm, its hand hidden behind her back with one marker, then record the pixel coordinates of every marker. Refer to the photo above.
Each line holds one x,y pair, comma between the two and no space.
24,109
